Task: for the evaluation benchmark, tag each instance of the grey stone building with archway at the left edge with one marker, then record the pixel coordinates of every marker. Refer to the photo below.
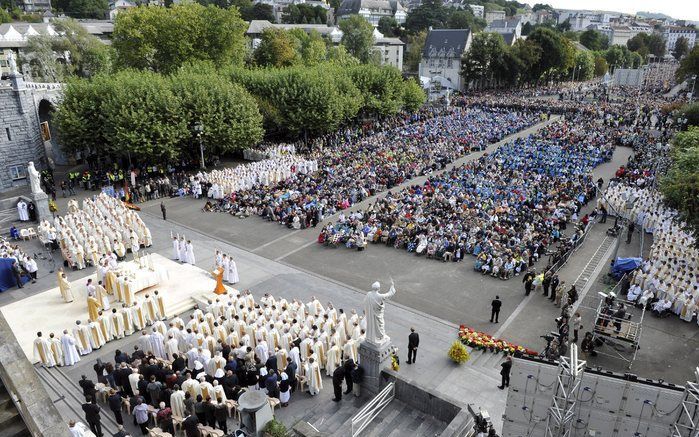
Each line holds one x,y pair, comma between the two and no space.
23,108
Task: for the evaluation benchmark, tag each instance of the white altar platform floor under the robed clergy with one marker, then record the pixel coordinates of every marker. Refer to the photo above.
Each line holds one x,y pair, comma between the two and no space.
46,312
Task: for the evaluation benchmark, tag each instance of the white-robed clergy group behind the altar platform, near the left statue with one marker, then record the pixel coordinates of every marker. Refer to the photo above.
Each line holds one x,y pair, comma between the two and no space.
104,225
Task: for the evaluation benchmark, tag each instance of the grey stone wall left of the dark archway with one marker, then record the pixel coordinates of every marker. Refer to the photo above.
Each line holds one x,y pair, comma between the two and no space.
19,115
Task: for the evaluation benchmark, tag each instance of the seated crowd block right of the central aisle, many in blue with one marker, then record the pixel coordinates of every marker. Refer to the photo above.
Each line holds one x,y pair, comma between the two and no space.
504,208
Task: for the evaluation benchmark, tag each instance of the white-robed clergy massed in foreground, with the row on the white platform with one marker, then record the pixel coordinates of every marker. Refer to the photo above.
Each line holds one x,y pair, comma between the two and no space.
325,336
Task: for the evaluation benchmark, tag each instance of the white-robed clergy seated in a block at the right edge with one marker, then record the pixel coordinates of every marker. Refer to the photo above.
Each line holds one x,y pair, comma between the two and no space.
671,271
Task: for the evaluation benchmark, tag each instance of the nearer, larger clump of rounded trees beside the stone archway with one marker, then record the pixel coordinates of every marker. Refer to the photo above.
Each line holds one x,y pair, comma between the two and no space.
152,116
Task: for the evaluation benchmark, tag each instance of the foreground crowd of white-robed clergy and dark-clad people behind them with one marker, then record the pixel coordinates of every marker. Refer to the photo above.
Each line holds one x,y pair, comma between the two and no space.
196,370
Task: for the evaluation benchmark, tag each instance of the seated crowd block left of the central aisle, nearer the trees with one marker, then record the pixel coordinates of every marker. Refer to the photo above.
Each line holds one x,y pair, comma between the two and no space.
352,165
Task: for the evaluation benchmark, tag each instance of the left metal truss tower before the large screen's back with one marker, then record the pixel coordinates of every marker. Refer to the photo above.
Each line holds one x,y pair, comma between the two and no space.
561,415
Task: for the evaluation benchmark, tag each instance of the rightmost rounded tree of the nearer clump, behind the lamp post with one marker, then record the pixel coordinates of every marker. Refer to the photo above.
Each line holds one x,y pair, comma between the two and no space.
229,115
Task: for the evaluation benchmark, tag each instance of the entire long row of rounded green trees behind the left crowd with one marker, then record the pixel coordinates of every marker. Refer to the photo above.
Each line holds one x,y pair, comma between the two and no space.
151,115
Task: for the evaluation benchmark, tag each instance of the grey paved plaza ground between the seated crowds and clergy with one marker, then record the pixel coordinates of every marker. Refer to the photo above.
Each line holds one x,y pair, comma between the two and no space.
434,297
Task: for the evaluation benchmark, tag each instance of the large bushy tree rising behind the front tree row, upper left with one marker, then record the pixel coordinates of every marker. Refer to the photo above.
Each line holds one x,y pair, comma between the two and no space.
163,39
